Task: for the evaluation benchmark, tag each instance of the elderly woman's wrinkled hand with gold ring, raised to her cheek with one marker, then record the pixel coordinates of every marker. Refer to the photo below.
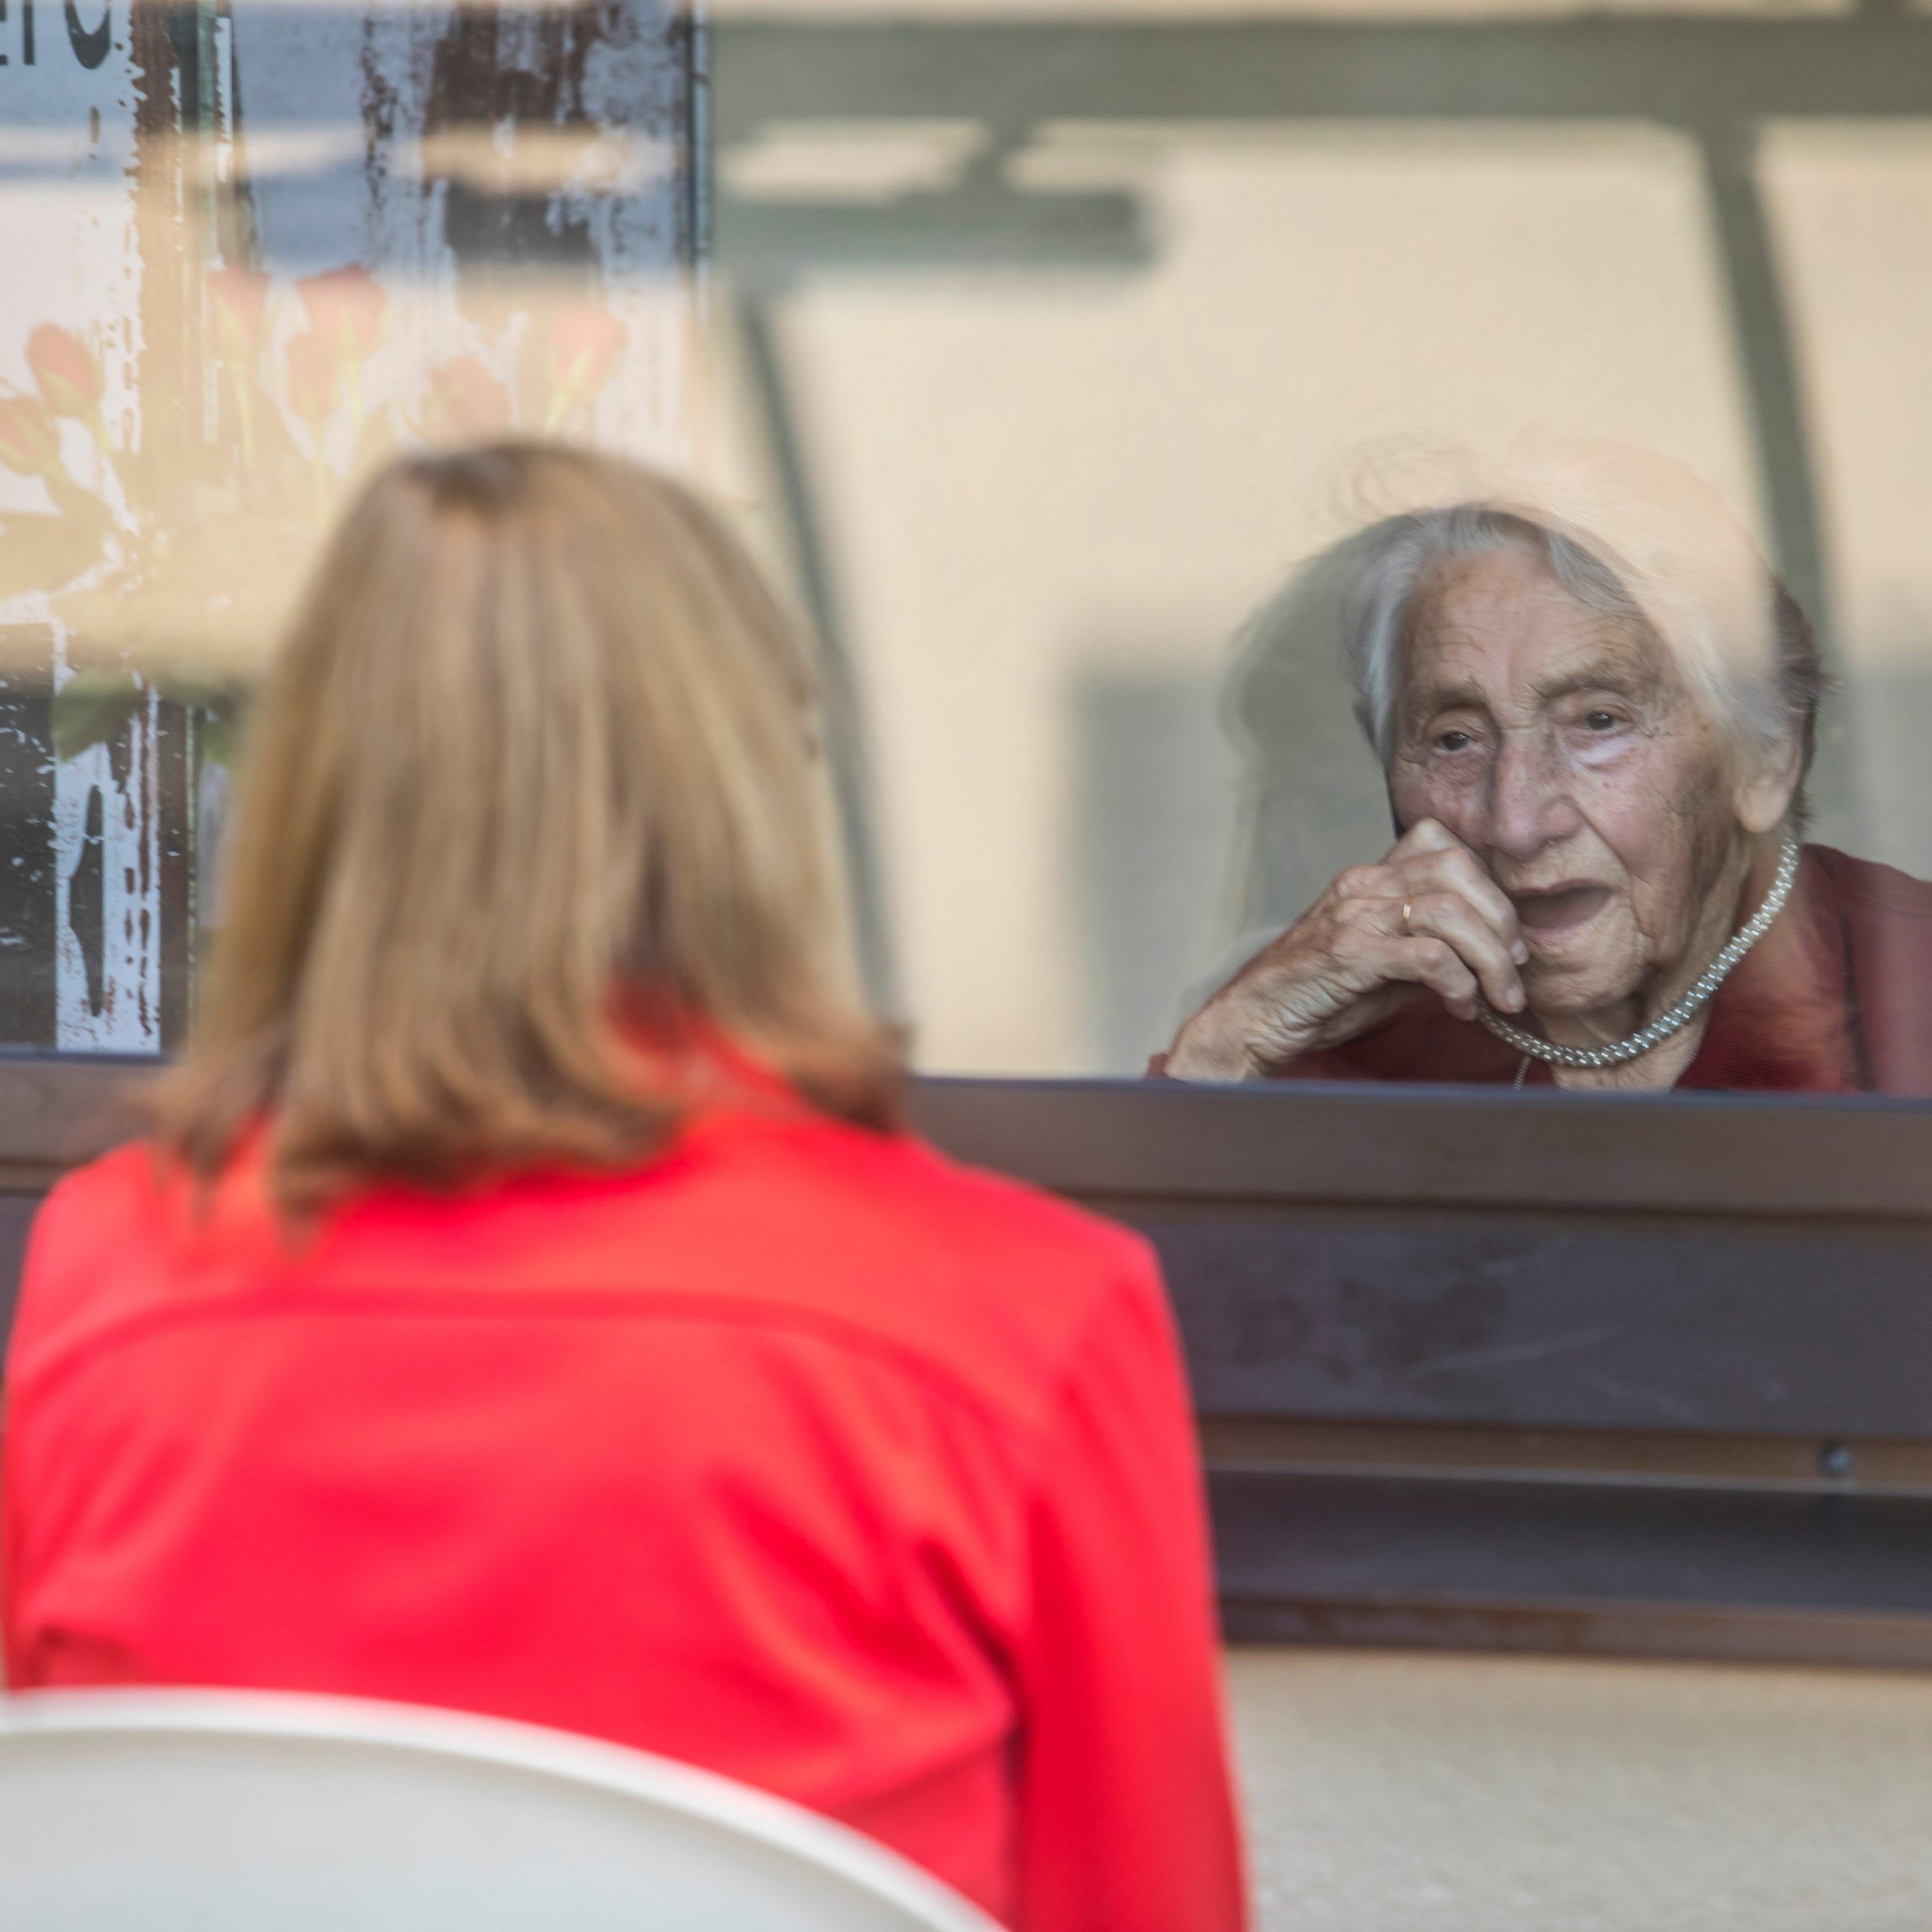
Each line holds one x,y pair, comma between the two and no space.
1351,961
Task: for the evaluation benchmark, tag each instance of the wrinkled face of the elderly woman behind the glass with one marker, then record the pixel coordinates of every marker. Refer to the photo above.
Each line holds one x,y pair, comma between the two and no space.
1566,753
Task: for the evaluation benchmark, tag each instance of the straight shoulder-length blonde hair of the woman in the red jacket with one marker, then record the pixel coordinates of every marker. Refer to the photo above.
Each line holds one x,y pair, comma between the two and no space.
528,812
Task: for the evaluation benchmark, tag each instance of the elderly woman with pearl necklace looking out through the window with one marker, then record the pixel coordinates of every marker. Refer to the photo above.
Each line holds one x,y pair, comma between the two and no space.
1597,758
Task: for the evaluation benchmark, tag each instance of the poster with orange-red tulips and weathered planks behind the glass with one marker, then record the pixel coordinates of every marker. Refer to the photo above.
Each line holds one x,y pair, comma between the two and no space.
273,246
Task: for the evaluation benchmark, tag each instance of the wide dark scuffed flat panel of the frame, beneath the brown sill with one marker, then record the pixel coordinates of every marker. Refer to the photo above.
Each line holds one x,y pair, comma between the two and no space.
1554,1324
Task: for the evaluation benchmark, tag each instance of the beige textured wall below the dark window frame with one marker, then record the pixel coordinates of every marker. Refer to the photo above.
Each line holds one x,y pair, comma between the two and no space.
1448,1794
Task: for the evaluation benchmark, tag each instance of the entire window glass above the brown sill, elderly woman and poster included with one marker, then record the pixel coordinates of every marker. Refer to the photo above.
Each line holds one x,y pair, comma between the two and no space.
1073,366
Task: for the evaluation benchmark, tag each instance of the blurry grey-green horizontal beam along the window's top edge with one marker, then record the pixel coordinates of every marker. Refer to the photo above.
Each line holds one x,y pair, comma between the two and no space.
1011,74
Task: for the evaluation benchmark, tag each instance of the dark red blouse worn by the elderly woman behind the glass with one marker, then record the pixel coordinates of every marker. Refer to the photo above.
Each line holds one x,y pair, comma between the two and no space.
1834,1000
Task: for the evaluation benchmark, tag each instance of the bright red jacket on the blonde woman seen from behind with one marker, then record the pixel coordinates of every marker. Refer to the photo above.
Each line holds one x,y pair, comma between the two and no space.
799,1454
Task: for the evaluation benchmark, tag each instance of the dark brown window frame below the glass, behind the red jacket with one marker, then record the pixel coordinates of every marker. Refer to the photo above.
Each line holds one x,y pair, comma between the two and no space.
1719,1454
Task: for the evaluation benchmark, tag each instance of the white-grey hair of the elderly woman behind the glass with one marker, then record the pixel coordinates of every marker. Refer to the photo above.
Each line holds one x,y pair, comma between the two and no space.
1759,679
